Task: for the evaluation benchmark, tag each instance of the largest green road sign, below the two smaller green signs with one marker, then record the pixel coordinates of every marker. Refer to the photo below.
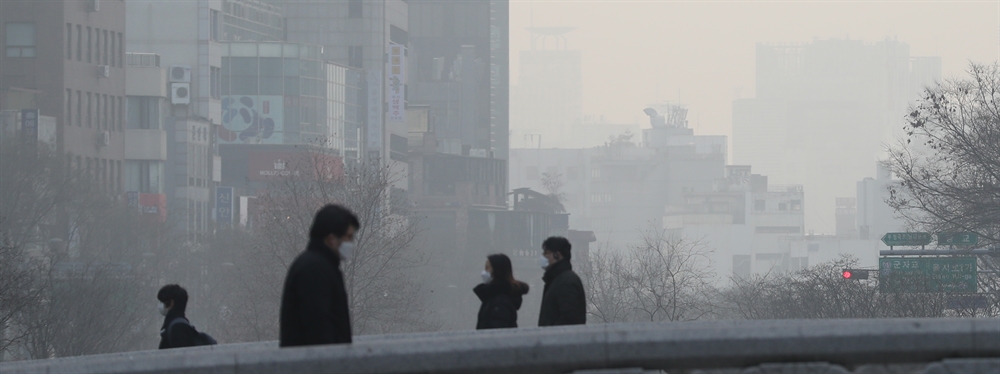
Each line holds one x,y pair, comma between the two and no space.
927,274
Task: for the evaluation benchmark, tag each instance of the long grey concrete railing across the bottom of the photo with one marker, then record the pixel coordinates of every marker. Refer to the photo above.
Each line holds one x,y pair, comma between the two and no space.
667,346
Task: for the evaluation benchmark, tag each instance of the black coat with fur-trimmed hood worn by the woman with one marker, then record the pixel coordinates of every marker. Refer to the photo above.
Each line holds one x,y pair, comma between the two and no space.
500,304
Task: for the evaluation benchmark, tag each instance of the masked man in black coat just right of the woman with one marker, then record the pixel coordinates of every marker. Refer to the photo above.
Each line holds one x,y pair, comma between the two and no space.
563,300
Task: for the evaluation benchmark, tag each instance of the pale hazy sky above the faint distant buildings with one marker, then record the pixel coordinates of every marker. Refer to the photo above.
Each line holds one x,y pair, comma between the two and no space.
639,52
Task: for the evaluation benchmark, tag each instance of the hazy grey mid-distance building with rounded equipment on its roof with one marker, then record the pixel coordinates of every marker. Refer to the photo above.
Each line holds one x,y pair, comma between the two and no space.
621,189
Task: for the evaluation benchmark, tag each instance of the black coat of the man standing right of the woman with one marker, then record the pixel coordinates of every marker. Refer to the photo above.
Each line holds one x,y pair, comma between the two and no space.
563,300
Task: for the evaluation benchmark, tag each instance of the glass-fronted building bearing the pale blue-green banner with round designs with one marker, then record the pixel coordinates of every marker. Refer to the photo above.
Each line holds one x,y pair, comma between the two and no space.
284,93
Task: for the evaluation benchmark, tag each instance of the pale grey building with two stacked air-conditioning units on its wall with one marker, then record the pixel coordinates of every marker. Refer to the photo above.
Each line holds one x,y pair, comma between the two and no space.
186,35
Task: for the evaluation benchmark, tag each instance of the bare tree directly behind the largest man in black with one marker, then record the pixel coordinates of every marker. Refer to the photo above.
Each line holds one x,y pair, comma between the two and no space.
379,276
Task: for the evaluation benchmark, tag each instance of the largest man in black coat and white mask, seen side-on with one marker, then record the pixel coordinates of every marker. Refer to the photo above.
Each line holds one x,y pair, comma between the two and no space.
314,301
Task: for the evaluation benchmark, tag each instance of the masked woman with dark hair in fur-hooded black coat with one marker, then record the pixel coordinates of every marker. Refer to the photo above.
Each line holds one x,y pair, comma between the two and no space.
500,294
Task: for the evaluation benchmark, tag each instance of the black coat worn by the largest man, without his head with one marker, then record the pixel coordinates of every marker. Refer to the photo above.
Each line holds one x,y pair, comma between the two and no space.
314,301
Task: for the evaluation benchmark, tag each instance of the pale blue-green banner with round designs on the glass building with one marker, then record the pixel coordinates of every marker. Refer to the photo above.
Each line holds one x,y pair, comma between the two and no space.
252,119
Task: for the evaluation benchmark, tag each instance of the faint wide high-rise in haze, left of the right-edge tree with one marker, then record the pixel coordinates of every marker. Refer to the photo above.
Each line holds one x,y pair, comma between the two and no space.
824,111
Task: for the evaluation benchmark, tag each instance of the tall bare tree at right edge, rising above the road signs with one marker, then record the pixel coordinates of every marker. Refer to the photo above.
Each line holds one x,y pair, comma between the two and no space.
949,161
